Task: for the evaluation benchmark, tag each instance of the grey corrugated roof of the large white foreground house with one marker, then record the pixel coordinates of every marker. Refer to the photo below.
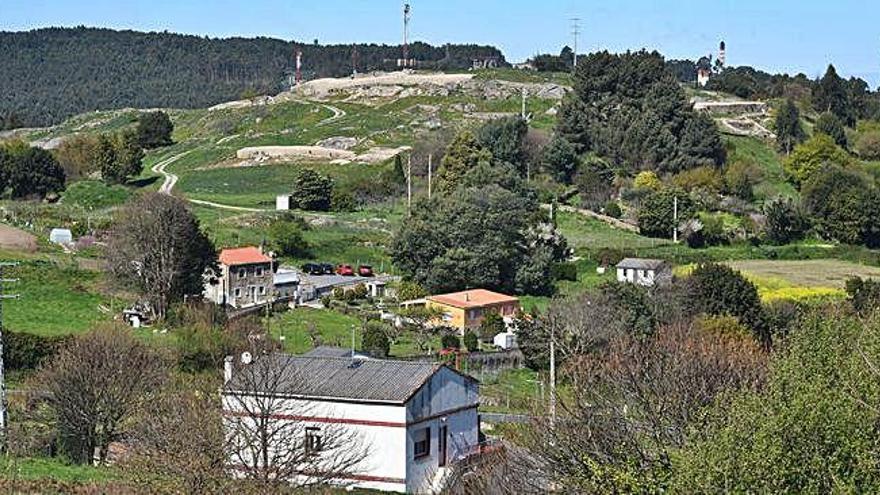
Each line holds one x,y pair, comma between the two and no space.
369,380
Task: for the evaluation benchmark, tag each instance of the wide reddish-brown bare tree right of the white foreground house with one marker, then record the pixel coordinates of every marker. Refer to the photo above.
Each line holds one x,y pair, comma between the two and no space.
631,403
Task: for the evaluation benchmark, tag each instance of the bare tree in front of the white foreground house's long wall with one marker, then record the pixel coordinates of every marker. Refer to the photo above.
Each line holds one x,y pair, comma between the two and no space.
270,439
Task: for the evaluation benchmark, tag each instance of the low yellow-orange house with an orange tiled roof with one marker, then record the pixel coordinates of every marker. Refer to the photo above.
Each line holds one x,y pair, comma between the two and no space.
465,310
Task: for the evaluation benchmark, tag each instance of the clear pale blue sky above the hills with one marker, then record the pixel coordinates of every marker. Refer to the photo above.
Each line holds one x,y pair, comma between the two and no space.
774,35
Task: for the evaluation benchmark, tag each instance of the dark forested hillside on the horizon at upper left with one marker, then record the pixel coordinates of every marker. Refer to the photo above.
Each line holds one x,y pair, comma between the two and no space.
51,74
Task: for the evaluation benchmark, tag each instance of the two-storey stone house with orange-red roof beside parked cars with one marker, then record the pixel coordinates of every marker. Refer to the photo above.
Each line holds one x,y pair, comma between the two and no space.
245,278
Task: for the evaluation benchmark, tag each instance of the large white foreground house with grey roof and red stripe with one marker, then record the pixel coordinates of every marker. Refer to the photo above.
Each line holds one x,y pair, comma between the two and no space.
416,419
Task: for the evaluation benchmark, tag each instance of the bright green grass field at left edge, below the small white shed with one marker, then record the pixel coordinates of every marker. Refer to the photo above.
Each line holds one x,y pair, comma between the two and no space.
55,299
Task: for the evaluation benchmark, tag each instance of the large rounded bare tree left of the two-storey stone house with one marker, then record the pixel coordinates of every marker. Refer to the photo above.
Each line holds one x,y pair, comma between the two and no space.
156,246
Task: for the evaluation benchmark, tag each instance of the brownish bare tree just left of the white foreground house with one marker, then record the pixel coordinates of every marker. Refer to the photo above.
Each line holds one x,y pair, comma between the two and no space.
179,438
